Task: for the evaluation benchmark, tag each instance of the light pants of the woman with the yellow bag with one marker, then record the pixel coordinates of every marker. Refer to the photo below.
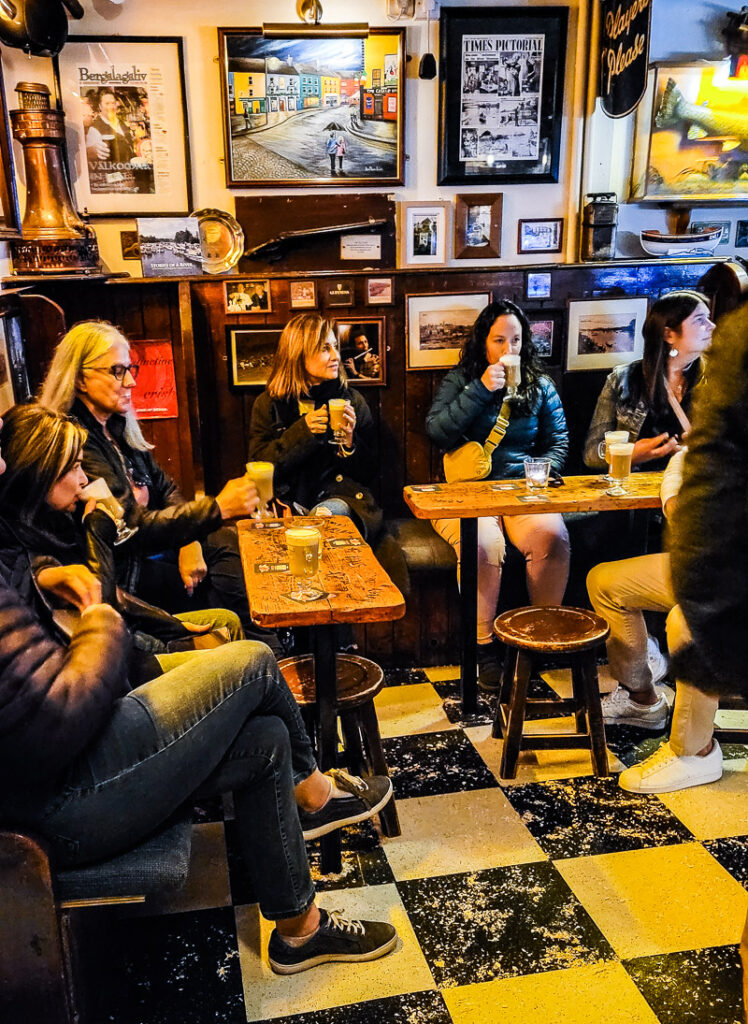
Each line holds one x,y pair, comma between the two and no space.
543,540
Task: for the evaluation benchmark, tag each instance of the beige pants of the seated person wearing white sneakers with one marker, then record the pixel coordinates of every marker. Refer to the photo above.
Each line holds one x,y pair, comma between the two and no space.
620,592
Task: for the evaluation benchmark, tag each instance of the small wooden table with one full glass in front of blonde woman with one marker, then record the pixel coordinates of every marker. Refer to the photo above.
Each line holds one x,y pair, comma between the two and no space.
358,590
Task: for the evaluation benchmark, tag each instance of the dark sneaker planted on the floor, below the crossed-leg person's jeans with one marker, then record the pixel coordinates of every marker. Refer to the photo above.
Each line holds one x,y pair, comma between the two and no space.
337,941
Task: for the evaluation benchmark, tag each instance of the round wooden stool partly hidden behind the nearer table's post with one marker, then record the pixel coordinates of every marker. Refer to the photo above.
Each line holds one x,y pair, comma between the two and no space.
359,681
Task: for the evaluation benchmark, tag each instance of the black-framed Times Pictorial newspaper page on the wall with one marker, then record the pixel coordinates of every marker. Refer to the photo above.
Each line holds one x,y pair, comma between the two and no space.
502,97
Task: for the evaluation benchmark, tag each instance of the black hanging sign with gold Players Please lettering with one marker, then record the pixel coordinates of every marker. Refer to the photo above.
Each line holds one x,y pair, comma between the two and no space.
625,55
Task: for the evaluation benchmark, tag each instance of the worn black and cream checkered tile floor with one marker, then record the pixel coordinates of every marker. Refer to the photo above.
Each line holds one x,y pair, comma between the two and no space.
555,899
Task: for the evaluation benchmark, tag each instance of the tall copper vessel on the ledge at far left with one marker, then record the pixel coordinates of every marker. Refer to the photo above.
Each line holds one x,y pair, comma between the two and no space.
55,239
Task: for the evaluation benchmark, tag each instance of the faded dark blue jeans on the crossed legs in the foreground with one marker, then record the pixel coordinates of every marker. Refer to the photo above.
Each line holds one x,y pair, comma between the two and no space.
217,721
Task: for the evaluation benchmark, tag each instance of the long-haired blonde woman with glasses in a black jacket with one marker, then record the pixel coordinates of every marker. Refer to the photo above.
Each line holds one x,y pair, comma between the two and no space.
184,556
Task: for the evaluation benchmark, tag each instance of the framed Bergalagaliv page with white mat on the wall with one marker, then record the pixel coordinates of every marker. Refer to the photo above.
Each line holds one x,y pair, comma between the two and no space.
127,124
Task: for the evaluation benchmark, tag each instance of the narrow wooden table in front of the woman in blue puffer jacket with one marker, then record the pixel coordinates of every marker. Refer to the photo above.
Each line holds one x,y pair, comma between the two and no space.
469,501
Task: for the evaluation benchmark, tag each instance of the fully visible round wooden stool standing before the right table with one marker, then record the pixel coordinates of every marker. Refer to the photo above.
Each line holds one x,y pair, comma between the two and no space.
573,633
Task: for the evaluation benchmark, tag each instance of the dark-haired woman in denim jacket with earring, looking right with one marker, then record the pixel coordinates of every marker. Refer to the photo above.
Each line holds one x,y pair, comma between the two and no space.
651,398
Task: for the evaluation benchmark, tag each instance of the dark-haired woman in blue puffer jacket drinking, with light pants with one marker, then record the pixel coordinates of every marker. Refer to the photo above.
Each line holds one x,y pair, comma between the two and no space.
466,409
